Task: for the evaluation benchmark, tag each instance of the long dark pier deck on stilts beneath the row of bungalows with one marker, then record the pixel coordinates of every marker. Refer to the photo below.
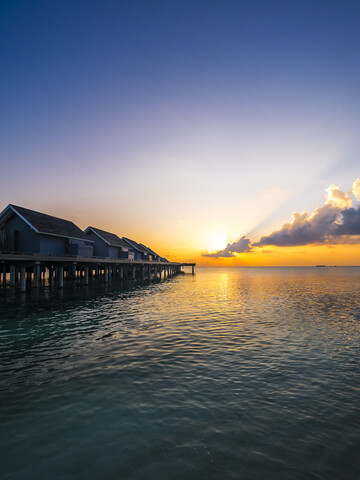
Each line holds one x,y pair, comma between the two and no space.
23,270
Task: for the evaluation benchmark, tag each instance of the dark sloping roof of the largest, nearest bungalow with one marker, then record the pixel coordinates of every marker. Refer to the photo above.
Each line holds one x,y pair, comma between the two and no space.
48,224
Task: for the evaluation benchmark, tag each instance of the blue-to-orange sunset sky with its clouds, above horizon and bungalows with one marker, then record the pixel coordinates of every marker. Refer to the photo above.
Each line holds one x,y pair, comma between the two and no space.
199,128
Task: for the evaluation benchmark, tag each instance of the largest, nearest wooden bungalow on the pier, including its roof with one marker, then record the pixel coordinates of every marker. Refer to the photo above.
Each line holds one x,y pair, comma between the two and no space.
28,231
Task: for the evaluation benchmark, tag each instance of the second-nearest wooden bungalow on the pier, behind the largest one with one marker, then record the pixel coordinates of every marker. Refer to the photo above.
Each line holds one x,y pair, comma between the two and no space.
108,244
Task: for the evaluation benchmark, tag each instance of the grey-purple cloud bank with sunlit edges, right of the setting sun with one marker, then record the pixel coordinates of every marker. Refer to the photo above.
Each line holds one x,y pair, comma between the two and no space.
337,221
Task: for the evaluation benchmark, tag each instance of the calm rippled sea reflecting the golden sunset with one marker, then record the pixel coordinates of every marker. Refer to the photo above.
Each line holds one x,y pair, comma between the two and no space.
230,374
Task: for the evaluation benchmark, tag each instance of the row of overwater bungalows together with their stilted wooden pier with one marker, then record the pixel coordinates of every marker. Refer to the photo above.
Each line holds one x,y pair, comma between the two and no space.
34,245
